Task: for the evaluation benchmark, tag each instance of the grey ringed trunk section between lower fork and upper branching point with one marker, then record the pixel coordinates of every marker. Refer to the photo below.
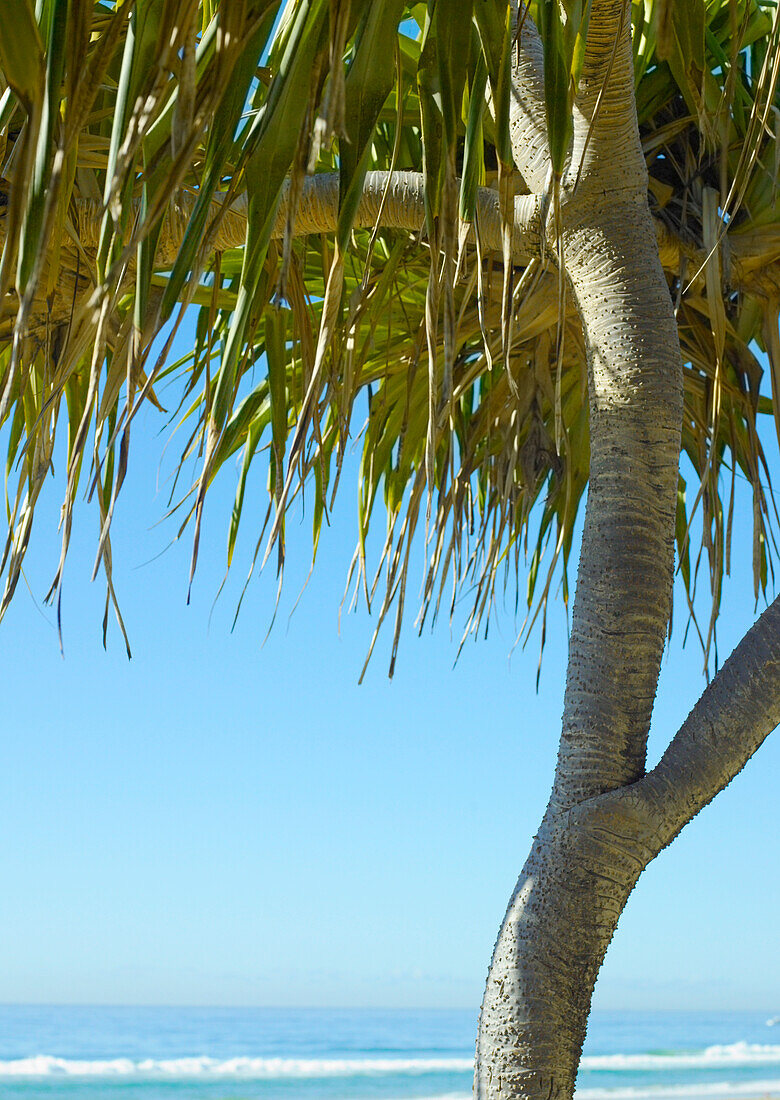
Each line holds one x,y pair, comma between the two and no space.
625,578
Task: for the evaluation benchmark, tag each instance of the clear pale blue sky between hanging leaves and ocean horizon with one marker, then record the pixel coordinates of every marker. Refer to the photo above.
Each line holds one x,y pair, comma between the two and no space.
226,822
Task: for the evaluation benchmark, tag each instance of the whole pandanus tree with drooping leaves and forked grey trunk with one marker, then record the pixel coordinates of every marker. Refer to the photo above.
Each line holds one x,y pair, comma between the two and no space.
544,243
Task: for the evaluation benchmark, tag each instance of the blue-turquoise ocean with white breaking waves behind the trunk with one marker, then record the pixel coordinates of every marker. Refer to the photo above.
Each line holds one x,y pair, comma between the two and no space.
91,1053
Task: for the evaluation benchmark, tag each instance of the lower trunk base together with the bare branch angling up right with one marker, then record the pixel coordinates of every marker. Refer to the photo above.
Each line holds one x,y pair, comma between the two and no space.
584,866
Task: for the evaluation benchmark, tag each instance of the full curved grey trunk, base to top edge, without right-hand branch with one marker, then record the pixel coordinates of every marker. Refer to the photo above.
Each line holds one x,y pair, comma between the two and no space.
583,868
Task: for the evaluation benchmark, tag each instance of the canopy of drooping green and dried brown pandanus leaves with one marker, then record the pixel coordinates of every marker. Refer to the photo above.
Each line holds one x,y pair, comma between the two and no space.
169,155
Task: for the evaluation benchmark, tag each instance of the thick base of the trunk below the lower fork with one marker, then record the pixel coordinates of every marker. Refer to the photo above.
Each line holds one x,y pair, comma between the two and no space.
551,948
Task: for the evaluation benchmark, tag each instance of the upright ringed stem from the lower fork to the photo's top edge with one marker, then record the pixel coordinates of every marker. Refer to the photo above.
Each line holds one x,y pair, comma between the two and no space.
635,392
